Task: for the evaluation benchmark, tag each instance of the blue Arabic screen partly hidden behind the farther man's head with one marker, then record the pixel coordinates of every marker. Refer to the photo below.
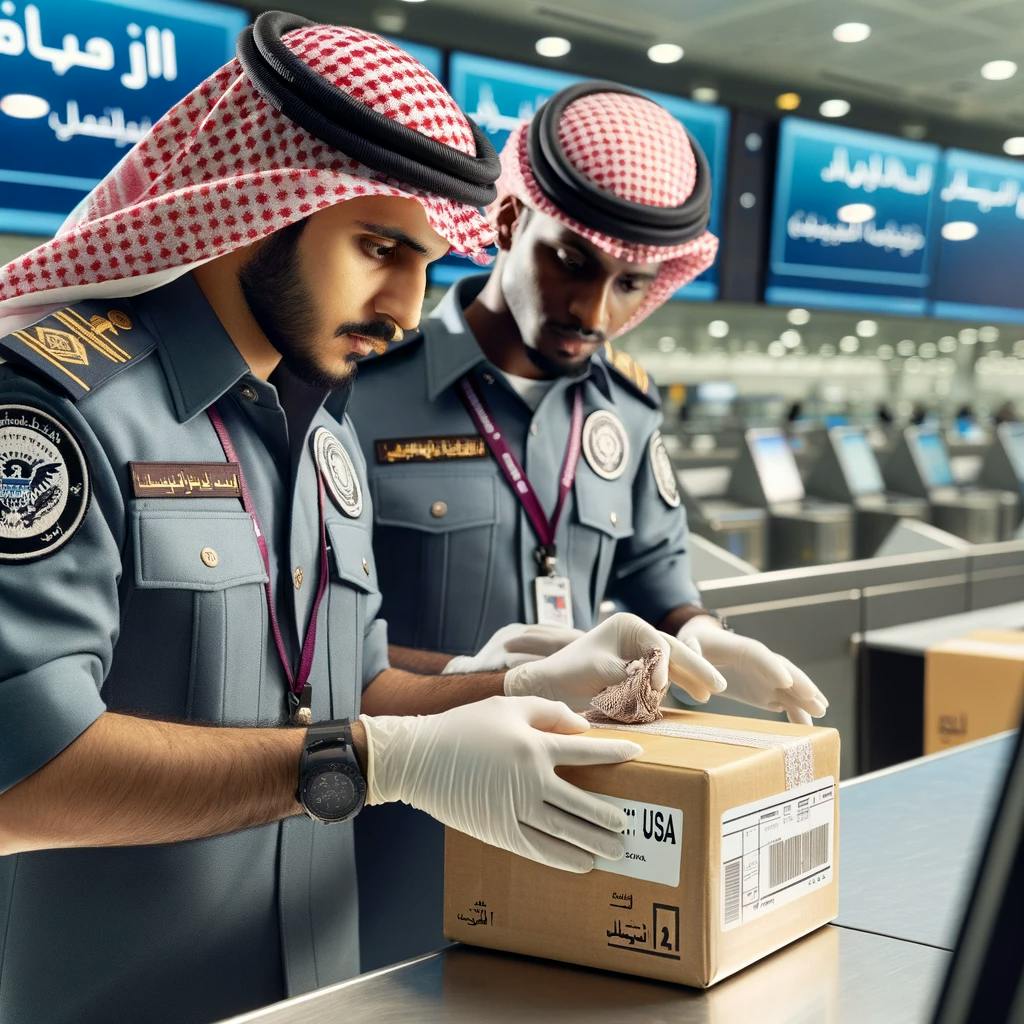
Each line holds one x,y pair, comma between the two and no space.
500,96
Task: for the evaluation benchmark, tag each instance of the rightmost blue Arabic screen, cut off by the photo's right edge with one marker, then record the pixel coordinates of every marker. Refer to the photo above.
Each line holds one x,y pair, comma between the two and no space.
977,272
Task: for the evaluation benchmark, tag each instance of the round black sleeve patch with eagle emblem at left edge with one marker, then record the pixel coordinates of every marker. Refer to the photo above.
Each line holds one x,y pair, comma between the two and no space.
45,484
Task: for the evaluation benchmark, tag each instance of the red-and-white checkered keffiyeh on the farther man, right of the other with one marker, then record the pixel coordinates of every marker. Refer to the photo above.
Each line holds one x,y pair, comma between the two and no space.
633,148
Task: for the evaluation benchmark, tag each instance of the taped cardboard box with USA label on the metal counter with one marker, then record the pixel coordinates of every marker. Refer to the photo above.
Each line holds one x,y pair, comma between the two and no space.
724,863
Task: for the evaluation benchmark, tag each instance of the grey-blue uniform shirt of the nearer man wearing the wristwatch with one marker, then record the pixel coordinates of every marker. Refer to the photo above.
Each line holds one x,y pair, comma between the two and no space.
129,616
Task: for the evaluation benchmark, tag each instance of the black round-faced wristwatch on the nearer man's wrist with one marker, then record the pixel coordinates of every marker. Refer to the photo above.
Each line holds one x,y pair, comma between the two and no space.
331,784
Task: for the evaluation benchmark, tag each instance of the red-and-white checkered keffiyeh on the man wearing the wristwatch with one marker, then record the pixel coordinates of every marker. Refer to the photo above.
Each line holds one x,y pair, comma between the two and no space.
223,169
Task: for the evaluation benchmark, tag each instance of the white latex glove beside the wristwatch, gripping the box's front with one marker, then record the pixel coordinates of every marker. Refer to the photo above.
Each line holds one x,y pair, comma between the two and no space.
488,770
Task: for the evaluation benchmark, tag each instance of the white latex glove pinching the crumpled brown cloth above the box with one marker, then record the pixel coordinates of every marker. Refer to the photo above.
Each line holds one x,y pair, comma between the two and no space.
599,659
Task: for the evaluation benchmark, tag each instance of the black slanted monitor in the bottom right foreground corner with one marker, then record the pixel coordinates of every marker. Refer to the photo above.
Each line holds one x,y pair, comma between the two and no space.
985,983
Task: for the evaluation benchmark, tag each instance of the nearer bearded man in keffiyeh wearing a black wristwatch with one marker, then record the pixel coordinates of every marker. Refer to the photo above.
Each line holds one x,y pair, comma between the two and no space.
188,579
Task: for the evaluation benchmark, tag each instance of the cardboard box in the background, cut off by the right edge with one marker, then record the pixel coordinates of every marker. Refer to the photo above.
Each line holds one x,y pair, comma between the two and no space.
974,688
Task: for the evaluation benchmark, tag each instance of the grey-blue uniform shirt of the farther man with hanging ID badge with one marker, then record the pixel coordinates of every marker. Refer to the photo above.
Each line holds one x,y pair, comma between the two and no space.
455,549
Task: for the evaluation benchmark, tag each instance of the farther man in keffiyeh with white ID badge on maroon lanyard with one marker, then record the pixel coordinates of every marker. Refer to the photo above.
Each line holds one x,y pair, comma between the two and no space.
602,216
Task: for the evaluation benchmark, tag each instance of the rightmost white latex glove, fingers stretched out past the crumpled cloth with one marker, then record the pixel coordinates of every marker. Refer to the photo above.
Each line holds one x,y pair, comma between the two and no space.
757,676
